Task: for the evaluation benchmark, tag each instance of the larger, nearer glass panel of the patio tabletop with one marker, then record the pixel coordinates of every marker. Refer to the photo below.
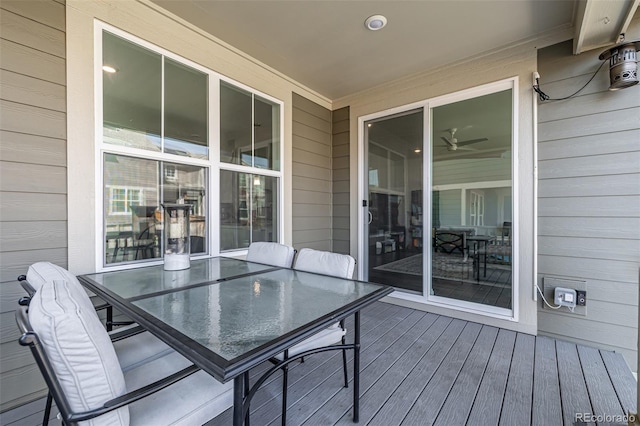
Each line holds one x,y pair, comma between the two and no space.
234,317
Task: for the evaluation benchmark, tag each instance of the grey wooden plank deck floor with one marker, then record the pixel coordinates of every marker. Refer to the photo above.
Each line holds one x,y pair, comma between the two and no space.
419,368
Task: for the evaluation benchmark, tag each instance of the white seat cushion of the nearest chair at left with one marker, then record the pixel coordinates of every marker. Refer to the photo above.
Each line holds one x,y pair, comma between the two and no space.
191,401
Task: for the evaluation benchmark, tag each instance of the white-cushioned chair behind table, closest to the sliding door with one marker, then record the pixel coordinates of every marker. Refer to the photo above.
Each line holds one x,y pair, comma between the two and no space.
327,263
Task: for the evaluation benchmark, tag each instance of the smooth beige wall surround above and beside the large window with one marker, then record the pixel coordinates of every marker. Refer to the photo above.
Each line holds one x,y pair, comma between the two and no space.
147,21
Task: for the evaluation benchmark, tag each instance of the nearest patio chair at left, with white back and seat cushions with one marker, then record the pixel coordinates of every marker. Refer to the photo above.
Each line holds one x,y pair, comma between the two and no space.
84,374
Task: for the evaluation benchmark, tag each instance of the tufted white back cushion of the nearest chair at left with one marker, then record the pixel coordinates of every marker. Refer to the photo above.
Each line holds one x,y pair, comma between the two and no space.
80,351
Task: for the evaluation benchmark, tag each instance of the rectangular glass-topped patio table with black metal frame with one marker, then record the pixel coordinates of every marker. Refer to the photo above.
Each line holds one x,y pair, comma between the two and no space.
228,315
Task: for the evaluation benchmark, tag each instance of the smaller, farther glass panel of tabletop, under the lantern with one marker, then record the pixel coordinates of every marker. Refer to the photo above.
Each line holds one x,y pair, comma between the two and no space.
134,283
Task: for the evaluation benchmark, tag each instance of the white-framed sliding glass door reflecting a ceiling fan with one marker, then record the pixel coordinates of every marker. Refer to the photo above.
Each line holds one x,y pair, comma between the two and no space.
439,221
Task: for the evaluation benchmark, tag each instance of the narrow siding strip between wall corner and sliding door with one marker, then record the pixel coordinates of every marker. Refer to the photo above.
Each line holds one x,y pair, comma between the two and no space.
341,181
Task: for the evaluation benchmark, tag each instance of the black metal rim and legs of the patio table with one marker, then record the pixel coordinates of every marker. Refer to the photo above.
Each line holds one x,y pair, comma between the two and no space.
224,370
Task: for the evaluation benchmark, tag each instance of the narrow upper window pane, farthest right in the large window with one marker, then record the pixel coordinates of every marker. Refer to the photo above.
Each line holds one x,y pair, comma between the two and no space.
267,134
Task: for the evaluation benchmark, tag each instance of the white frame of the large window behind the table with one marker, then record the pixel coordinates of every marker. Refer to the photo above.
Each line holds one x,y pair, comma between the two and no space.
213,165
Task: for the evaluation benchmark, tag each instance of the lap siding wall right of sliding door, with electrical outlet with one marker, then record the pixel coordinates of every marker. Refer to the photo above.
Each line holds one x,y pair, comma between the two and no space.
589,198
